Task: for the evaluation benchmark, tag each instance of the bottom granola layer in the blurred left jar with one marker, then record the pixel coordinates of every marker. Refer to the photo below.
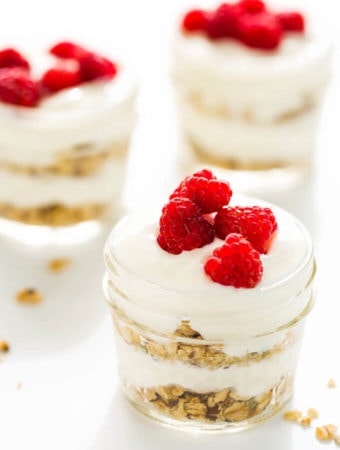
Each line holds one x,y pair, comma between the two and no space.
54,214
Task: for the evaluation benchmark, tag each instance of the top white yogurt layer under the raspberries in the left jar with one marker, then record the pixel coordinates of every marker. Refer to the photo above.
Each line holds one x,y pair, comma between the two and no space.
96,113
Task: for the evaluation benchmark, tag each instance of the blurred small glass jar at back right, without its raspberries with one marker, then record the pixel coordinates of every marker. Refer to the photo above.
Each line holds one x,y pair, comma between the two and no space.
253,115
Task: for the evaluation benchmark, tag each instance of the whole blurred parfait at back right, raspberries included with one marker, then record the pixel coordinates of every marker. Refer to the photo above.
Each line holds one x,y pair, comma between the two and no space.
250,81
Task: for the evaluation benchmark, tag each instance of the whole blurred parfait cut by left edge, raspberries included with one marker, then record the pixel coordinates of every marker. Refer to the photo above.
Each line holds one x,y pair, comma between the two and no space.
66,118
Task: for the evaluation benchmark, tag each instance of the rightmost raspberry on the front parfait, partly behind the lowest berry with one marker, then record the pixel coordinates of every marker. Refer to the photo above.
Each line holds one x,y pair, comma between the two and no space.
255,223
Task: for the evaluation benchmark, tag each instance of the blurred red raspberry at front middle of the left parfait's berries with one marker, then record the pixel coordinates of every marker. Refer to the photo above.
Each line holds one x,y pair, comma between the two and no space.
58,78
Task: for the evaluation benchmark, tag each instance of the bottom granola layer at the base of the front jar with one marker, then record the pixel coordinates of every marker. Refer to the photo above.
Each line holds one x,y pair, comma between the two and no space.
225,405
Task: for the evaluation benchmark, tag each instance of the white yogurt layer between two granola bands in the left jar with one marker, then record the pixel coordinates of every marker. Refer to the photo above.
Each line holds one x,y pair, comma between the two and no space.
34,191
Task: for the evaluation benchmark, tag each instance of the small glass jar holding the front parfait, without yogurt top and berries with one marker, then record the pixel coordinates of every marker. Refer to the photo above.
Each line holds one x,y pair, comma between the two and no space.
207,367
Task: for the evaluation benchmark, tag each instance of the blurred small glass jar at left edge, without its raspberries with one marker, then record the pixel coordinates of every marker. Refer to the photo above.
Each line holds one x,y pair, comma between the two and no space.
63,162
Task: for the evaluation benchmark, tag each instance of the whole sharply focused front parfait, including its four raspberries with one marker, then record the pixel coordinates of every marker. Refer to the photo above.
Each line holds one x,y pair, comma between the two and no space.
208,300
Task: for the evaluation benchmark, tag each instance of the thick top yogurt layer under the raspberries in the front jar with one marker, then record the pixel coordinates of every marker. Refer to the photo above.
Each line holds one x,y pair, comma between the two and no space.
158,289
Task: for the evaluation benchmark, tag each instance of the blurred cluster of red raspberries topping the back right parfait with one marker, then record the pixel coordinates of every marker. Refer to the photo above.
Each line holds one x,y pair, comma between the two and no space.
250,22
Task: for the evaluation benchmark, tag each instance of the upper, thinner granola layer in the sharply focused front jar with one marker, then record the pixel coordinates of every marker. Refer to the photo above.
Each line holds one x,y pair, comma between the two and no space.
184,346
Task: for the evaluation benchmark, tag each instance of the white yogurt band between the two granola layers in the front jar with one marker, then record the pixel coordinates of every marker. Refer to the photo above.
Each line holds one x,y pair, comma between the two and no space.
139,369
